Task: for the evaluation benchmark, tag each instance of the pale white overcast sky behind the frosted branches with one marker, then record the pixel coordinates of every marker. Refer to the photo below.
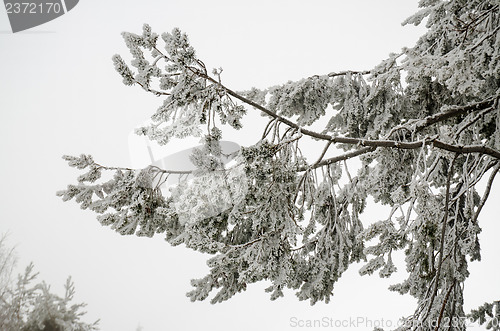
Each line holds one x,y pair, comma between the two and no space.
59,94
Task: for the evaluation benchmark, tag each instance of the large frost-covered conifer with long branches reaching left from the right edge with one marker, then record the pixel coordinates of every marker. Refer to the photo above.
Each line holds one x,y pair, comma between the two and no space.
424,125
